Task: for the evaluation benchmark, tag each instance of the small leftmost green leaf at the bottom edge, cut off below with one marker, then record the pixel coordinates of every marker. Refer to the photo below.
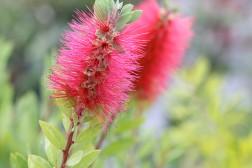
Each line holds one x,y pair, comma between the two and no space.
18,160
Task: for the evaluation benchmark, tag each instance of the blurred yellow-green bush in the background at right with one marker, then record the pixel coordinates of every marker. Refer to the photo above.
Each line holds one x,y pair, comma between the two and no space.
205,127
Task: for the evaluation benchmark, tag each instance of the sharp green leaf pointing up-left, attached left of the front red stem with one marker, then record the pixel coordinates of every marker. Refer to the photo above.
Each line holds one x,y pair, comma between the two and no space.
53,134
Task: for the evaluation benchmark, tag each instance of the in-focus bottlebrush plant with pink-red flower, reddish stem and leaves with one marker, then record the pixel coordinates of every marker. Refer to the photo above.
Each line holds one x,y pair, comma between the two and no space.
91,78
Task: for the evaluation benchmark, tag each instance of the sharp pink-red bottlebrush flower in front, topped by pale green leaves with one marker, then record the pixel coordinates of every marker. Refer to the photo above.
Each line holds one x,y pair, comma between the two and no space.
95,66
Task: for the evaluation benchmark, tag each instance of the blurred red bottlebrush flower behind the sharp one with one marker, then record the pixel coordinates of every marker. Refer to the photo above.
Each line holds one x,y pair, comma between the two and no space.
168,37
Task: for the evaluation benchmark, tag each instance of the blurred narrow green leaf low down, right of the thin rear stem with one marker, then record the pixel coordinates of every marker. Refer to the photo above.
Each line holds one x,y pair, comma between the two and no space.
118,146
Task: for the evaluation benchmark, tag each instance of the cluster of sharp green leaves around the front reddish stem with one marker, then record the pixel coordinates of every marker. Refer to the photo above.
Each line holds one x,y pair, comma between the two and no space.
55,142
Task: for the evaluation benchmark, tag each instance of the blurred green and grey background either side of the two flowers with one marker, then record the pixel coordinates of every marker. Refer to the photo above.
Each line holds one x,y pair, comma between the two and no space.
203,120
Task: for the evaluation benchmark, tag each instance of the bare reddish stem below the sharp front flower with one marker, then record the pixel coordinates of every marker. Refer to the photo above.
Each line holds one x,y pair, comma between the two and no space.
70,141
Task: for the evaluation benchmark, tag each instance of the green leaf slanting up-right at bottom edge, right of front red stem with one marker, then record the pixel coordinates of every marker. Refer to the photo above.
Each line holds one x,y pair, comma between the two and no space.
88,159
